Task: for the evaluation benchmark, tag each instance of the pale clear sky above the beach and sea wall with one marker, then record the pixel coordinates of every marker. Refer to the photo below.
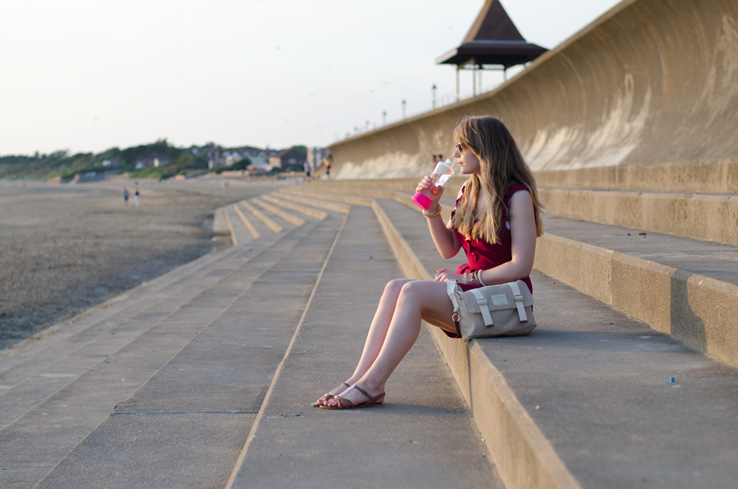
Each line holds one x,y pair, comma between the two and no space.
88,75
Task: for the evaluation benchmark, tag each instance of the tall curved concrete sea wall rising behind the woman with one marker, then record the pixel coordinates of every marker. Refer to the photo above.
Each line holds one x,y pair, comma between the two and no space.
651,82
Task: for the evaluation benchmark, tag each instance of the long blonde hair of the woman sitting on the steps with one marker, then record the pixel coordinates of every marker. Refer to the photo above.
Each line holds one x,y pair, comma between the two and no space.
501,164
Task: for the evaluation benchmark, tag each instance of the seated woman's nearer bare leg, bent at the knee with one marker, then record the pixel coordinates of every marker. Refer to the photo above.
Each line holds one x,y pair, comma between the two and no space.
416,300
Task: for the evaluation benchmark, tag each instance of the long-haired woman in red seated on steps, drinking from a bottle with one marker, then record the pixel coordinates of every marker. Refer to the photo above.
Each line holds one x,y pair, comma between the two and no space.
496,221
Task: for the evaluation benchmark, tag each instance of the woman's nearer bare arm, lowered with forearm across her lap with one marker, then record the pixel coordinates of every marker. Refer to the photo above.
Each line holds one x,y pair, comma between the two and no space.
523,232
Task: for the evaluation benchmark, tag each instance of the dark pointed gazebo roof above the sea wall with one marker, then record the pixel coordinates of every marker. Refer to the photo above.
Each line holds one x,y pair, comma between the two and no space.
492,40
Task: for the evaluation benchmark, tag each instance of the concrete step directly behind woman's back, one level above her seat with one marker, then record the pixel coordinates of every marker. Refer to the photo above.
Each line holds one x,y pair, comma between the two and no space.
680,286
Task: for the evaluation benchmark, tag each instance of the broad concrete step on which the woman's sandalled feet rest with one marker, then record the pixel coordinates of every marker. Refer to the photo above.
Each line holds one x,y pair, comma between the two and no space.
402,444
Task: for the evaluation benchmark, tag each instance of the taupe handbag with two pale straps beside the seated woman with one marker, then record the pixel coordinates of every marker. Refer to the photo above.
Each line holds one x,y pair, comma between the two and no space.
492,310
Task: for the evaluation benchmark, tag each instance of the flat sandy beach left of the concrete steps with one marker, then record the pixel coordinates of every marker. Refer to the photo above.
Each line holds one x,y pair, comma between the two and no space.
66,248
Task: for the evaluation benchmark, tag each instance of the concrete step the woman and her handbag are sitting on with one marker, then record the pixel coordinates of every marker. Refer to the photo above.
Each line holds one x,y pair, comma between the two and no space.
587,399
